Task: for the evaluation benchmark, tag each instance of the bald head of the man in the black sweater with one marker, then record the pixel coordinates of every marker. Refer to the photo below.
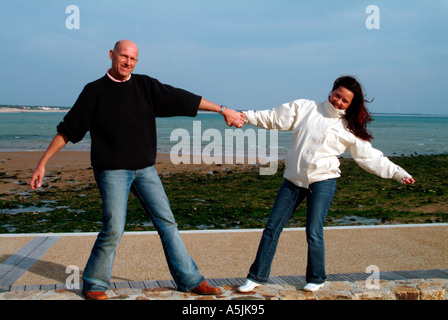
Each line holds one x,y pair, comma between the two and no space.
124,58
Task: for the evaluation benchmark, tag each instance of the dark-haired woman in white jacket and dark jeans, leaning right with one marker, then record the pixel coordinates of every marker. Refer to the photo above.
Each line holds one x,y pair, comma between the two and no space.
320,133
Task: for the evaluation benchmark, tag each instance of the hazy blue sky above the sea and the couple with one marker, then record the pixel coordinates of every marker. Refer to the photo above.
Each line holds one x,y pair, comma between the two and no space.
244,54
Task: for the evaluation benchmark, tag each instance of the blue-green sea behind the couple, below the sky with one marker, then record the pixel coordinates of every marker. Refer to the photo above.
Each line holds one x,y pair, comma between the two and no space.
394,135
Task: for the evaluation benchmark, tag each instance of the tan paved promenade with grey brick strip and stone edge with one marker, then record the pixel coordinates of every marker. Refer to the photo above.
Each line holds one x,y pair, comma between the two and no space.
410,262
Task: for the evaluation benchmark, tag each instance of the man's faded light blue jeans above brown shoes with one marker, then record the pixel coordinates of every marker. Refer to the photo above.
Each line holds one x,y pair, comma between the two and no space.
115,186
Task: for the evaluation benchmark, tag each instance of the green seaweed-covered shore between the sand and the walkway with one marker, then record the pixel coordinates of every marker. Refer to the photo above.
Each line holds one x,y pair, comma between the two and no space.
242,198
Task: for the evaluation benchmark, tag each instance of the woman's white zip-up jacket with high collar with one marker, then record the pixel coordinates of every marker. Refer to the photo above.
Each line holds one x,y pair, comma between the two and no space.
319,136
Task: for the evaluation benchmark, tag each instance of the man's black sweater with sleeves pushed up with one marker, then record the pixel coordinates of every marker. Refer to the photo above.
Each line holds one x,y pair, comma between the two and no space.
121,119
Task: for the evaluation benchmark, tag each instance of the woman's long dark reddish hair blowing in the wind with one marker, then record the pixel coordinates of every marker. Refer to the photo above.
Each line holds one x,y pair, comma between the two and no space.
357,115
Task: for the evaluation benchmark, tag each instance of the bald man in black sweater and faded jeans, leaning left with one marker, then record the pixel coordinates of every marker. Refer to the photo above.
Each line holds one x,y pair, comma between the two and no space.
119,111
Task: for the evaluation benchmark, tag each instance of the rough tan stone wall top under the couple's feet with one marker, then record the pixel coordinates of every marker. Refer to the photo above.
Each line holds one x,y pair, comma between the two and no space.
414,289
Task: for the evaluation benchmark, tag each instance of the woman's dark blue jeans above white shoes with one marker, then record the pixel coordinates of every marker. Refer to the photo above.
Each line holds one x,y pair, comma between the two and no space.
319,198
